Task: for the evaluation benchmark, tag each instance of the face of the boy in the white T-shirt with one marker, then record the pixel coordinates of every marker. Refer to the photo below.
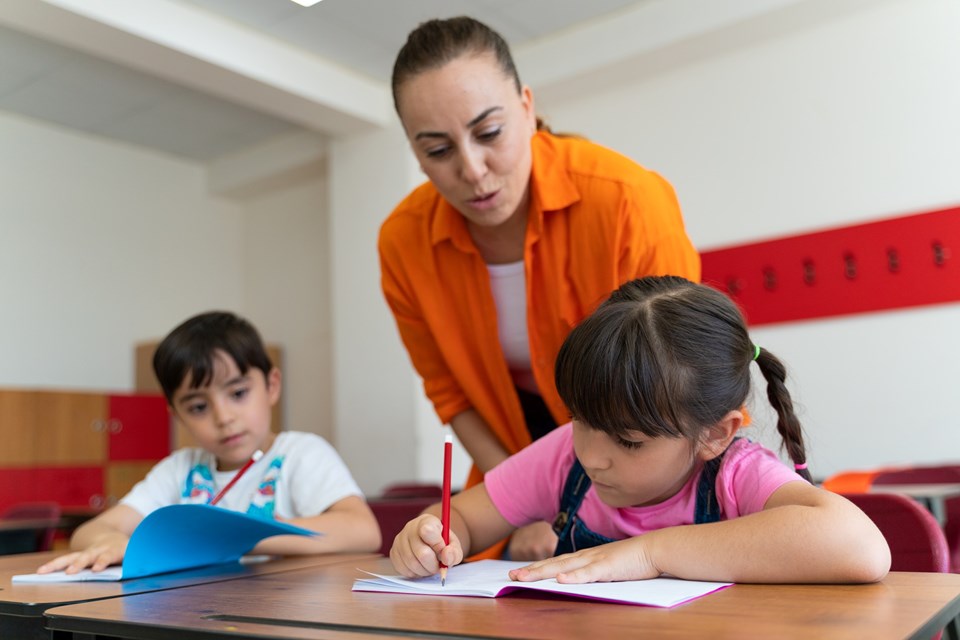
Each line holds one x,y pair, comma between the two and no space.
230,417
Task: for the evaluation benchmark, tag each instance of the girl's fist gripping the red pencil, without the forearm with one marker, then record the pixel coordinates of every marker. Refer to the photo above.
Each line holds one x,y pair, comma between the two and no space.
419,549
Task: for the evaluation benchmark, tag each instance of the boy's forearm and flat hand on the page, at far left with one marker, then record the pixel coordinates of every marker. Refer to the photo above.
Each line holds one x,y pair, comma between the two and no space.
98,543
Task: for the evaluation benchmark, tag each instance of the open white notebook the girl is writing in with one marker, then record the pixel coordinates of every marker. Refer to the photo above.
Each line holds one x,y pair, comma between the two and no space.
490,579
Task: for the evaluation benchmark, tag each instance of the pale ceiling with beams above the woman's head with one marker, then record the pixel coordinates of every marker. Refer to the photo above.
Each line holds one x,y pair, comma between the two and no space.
217,81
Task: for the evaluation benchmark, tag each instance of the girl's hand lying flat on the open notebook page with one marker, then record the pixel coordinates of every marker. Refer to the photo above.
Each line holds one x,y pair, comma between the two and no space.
622,560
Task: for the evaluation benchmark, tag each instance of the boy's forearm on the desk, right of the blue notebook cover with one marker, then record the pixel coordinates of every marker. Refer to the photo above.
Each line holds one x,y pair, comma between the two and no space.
347,526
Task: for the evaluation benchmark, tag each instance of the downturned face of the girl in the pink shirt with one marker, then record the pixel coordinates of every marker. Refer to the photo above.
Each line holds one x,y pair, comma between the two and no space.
635,471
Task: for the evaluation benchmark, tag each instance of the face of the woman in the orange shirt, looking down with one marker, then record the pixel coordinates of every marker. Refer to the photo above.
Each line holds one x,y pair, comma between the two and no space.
470,131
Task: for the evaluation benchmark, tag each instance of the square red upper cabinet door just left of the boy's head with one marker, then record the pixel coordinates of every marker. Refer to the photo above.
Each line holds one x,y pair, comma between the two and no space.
138,427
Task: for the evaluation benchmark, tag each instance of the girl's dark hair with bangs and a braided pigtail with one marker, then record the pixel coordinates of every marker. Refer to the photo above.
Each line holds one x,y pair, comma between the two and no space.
668,357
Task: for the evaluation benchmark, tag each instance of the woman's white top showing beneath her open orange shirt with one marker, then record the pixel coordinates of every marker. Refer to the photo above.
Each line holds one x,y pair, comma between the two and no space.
510,296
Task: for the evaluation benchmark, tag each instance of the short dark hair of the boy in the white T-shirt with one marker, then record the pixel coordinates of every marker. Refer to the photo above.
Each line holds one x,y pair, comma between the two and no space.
190,348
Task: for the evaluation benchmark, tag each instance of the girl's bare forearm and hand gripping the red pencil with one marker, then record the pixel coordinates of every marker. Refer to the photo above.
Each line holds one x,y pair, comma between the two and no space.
475,524
